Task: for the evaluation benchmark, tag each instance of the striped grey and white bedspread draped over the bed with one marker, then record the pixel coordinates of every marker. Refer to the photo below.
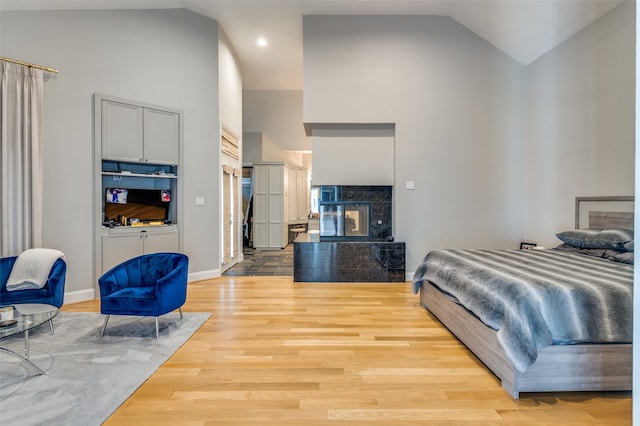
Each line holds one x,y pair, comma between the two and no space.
536,298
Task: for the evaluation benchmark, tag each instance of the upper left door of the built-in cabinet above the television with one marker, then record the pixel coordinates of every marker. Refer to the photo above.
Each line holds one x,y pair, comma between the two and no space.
122,128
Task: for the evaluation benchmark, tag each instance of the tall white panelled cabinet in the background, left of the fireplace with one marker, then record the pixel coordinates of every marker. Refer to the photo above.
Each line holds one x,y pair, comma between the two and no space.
270,205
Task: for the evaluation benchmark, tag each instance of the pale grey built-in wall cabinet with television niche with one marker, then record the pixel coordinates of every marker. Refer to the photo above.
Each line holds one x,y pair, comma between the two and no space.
137,147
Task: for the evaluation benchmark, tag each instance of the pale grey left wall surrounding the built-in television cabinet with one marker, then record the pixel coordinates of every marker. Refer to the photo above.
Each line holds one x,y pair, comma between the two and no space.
132,54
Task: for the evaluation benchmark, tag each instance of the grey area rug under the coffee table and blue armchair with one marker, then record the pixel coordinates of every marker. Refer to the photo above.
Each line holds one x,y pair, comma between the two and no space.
88,376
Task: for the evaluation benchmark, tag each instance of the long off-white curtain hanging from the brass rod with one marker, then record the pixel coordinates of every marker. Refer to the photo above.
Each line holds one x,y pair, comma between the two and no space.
20,158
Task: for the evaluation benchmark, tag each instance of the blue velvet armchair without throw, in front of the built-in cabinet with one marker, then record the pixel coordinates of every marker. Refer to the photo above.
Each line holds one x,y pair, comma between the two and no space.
148,285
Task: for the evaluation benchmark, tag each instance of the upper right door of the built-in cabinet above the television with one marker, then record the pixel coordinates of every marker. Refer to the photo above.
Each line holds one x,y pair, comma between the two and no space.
161,136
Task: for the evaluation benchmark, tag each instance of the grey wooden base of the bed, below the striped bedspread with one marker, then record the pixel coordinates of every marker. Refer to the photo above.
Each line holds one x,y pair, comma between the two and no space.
584,367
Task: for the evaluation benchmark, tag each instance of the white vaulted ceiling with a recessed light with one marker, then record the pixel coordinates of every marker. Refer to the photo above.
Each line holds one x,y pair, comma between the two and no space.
523,29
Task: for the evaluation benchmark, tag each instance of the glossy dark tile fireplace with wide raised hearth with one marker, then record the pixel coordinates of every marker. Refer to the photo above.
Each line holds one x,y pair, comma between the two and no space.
355,243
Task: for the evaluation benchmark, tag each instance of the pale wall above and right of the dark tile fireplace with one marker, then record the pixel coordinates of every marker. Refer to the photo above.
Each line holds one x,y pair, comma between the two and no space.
459,108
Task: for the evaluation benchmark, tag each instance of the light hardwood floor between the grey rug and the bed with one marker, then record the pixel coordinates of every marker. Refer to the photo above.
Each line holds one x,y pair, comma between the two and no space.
279,352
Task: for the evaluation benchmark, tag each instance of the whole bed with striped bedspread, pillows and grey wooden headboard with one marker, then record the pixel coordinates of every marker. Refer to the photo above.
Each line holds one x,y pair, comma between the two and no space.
544,320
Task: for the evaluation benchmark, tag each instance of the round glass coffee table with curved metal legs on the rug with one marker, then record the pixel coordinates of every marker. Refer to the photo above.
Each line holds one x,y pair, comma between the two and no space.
26,316
